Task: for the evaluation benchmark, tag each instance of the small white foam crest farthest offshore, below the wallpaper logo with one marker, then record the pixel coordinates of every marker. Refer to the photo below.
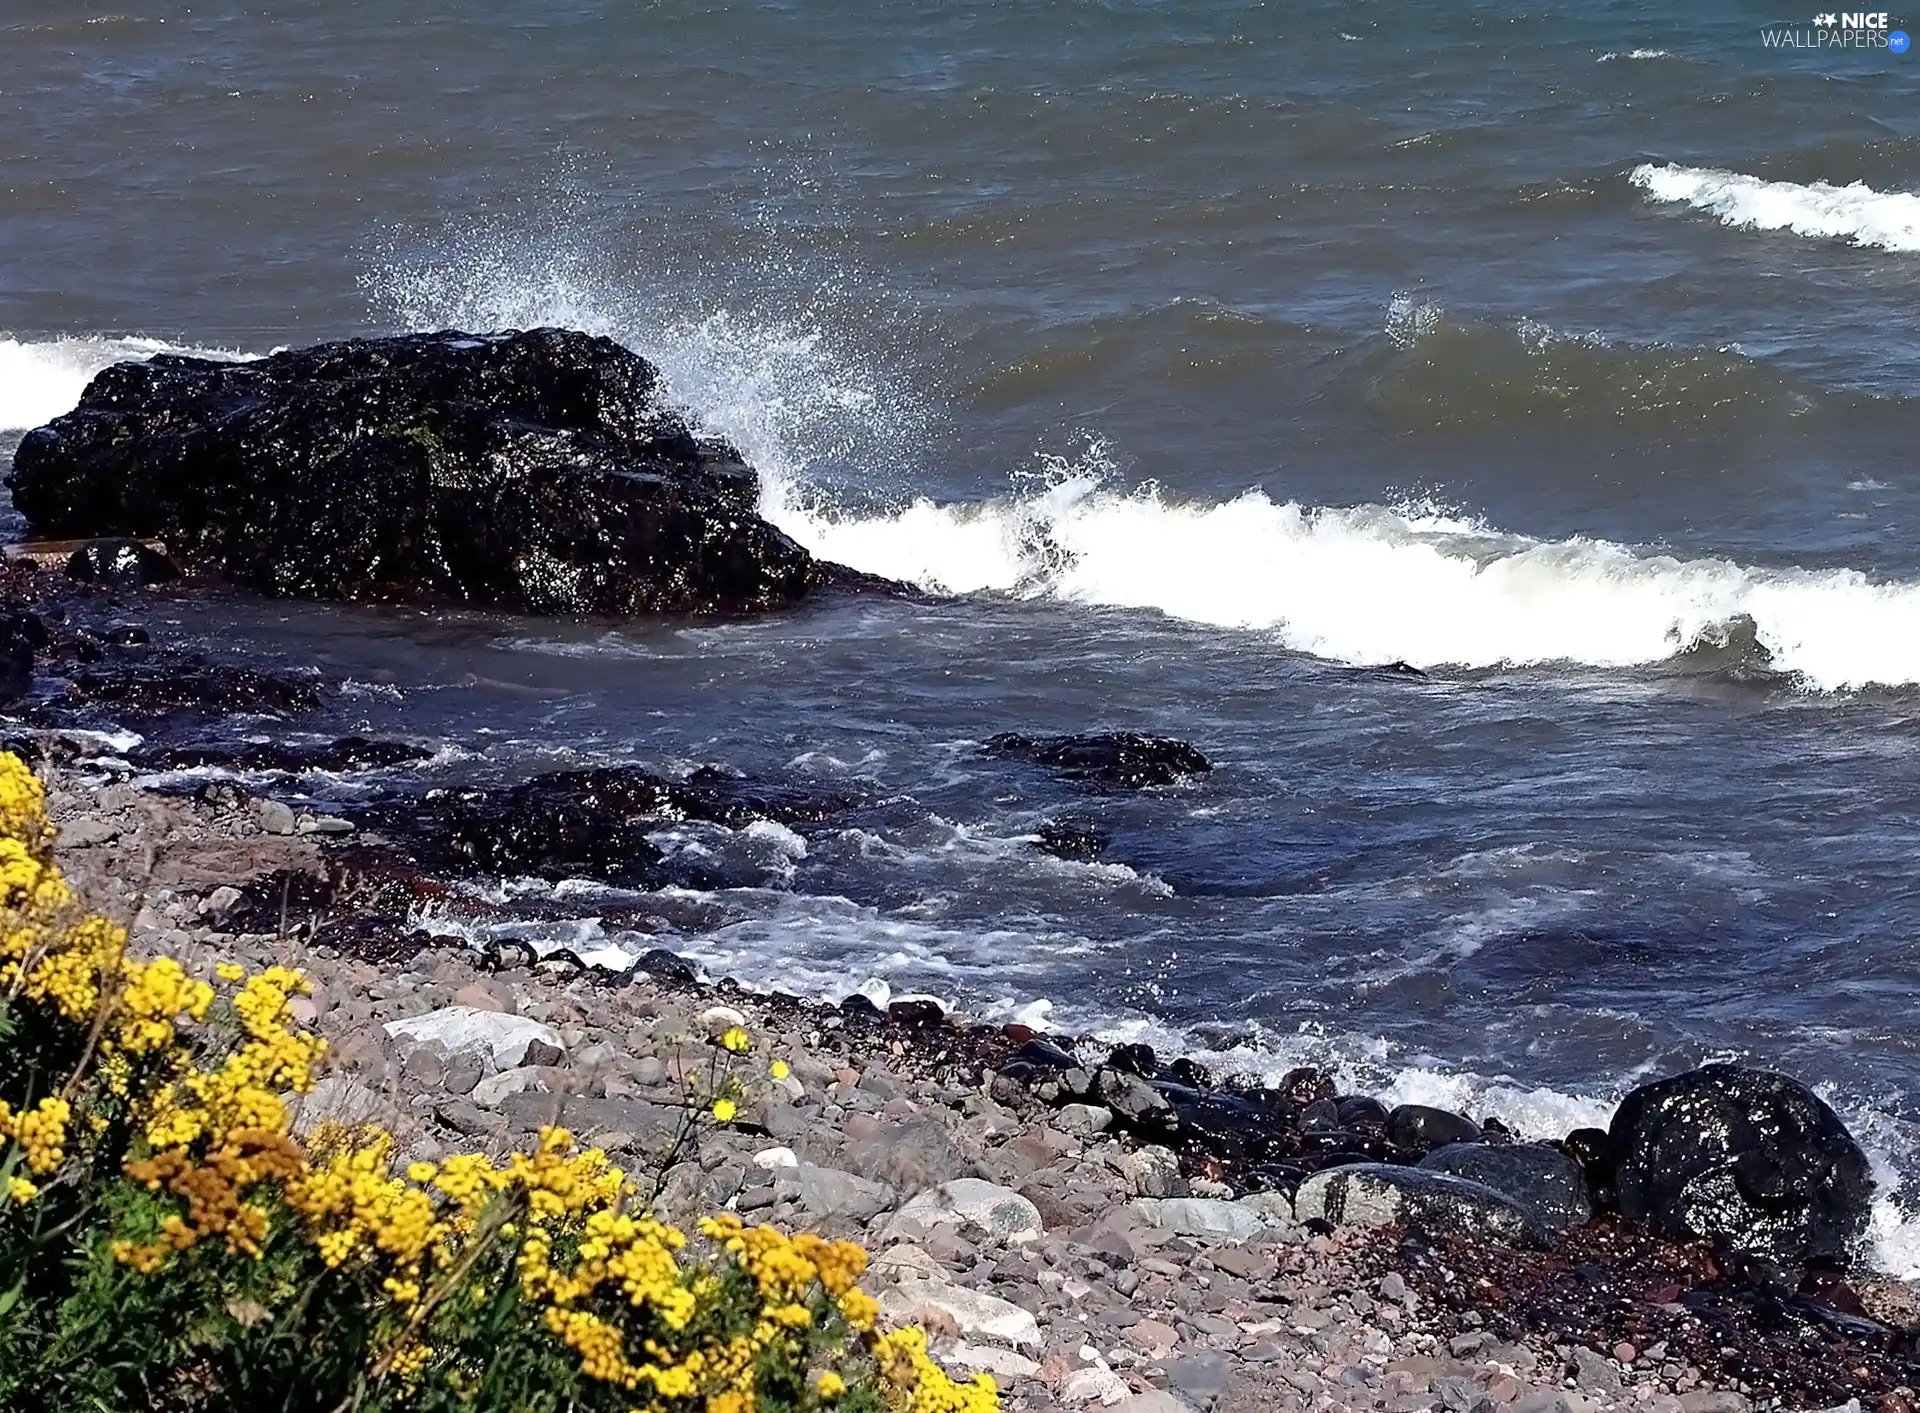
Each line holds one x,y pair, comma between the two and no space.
1856,214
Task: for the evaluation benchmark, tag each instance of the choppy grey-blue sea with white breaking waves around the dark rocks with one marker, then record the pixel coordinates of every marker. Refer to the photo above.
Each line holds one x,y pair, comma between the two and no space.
1211,354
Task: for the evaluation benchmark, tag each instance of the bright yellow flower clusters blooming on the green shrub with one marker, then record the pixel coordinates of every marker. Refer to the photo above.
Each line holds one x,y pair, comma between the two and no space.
212,1143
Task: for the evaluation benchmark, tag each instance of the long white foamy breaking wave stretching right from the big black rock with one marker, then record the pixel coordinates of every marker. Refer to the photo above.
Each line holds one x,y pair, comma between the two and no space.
1376,585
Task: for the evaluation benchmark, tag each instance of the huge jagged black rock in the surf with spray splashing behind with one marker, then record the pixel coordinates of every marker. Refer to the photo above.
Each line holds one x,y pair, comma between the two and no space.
531,471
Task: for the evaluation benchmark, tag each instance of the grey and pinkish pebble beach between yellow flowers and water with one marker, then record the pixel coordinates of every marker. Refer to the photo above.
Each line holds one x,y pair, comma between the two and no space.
1078,1262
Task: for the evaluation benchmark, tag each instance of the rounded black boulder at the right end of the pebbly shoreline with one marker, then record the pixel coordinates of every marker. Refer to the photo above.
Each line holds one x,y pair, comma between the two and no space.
1748,1161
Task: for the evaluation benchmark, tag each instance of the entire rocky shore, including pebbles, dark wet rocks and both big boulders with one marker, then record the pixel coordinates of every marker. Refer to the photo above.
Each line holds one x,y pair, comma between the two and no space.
1099,1228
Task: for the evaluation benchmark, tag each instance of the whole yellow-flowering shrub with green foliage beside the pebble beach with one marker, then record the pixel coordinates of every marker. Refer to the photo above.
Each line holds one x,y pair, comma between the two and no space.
168,1243
